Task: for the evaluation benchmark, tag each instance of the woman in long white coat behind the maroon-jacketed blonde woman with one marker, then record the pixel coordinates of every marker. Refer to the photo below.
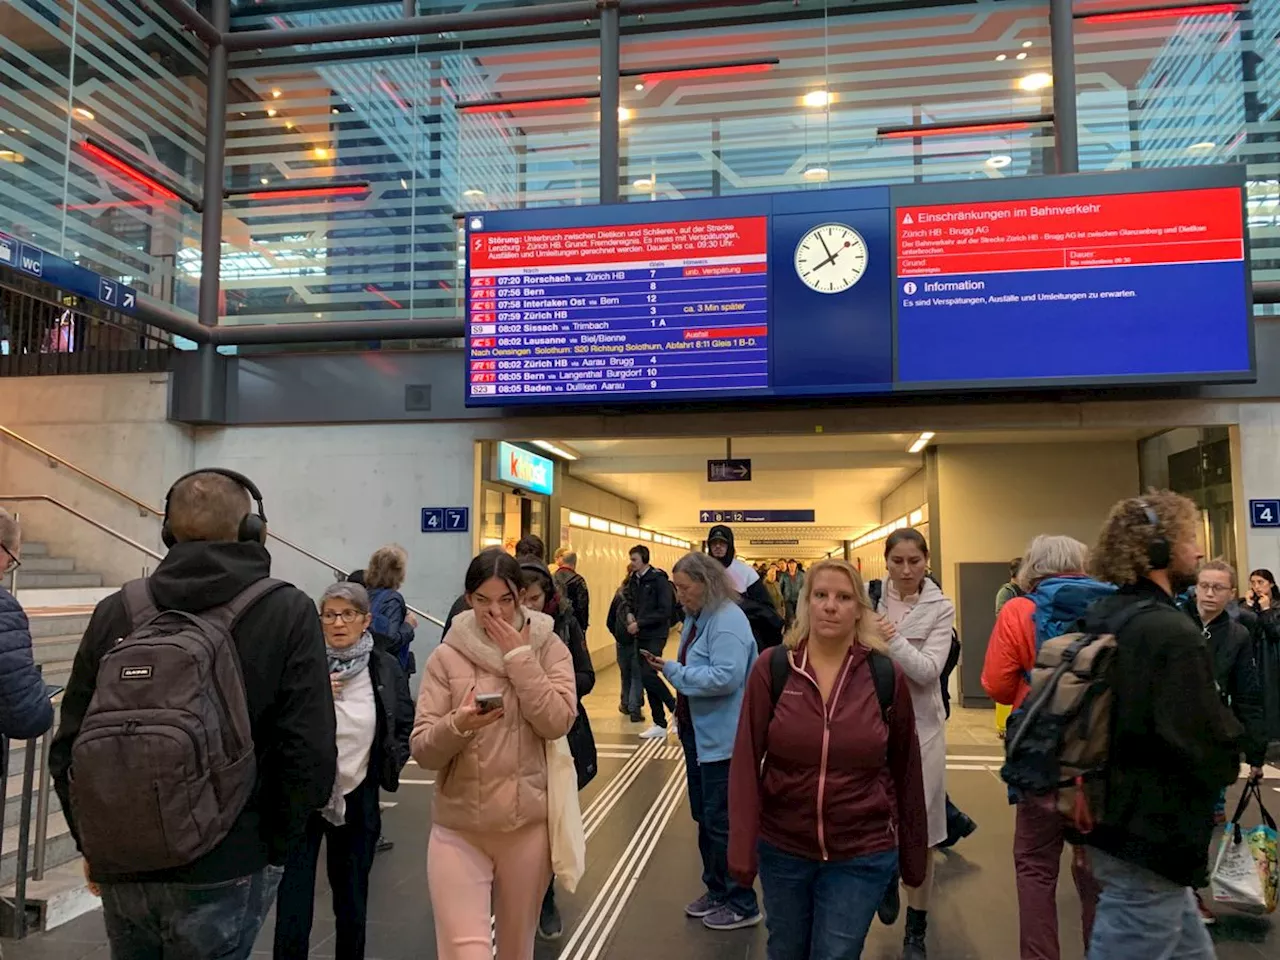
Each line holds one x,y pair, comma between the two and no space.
917,621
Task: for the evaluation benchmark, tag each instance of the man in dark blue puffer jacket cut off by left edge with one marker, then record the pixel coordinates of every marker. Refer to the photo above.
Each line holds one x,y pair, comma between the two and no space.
25,707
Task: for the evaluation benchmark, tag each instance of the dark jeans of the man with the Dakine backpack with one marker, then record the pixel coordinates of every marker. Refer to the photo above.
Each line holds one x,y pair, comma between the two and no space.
189,921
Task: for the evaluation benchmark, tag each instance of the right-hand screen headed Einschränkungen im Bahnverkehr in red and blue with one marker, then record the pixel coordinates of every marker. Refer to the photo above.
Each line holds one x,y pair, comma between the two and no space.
1127,286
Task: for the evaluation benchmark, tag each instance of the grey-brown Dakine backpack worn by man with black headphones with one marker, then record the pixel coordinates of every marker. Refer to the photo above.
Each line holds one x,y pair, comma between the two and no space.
164,762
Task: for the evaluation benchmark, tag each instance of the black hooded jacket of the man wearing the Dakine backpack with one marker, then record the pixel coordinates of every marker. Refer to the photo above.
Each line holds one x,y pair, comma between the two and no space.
282,656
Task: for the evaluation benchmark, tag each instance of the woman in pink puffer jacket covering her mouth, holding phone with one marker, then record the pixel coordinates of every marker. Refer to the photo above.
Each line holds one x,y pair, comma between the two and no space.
490,840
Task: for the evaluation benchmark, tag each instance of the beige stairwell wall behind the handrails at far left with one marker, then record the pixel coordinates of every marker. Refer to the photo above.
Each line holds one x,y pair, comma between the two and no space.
112,427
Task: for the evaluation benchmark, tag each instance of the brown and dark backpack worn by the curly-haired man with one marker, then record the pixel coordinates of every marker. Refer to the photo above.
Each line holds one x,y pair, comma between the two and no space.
1059,740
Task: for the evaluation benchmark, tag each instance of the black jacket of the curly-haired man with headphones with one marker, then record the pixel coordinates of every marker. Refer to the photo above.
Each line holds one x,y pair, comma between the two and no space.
1174,746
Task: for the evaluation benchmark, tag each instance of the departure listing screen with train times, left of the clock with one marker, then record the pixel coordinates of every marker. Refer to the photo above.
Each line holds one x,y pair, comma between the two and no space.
660,308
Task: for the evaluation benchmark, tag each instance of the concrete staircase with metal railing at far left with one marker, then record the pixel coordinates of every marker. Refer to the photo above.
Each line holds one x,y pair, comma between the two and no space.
58,600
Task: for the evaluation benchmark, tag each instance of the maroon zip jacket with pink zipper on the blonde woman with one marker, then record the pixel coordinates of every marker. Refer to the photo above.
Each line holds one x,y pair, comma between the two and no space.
826,783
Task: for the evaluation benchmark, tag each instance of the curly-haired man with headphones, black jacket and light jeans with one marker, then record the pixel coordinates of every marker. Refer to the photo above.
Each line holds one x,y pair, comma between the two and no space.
1173,747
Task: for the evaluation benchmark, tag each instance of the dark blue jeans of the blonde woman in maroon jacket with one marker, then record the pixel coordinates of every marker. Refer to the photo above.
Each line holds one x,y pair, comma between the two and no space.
819,911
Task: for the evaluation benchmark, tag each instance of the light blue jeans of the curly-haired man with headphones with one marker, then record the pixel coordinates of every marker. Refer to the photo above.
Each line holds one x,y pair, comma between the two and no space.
1141,915
